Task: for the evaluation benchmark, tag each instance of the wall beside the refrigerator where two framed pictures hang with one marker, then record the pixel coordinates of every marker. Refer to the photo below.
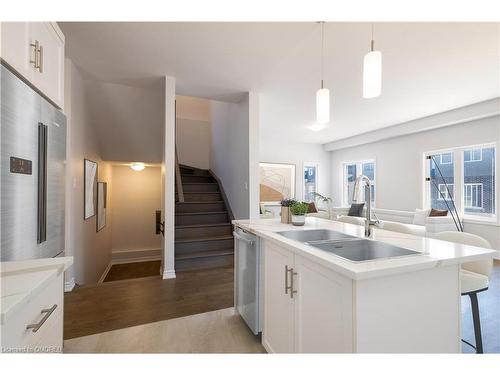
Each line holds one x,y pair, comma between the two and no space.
91,250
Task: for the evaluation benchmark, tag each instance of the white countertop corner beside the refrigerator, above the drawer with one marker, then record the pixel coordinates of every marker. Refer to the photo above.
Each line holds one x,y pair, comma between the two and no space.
21,280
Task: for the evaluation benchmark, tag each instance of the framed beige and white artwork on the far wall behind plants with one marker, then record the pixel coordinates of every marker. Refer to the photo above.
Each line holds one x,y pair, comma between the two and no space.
276,182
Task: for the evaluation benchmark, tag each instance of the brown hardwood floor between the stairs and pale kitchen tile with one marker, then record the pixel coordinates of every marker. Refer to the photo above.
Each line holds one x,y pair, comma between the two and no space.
126,303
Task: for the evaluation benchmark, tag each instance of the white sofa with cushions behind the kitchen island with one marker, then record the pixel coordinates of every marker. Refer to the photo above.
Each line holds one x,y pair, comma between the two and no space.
433,225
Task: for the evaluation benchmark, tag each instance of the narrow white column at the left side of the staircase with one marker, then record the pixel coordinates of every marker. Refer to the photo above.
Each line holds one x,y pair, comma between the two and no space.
169,180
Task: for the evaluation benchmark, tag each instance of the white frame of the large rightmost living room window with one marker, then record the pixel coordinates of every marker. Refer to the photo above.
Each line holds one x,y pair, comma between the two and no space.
458,175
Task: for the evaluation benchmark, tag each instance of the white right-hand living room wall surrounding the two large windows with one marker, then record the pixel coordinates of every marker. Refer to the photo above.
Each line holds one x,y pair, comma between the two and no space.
399,164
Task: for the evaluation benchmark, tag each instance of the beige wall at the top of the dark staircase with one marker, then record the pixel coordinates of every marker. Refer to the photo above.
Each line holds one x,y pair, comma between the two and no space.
193,131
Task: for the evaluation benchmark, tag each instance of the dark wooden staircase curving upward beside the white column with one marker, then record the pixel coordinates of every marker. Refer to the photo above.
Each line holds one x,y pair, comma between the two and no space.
203,229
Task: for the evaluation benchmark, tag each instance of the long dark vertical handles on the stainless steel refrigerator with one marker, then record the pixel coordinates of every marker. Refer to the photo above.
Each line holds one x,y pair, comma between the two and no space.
42,183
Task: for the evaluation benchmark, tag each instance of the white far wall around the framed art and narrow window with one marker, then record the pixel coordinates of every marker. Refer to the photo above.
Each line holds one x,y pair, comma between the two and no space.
277,151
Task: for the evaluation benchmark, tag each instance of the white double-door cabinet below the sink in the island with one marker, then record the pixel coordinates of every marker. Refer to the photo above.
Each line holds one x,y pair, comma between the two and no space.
307,307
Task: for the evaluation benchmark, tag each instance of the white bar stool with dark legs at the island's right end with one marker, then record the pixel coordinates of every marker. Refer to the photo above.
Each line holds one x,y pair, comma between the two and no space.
474,278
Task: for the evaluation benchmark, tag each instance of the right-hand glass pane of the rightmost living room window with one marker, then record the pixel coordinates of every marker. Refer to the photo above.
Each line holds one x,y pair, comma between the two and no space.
479,182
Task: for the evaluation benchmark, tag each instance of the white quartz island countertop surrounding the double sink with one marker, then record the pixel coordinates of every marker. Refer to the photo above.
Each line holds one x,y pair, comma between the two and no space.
434,253
